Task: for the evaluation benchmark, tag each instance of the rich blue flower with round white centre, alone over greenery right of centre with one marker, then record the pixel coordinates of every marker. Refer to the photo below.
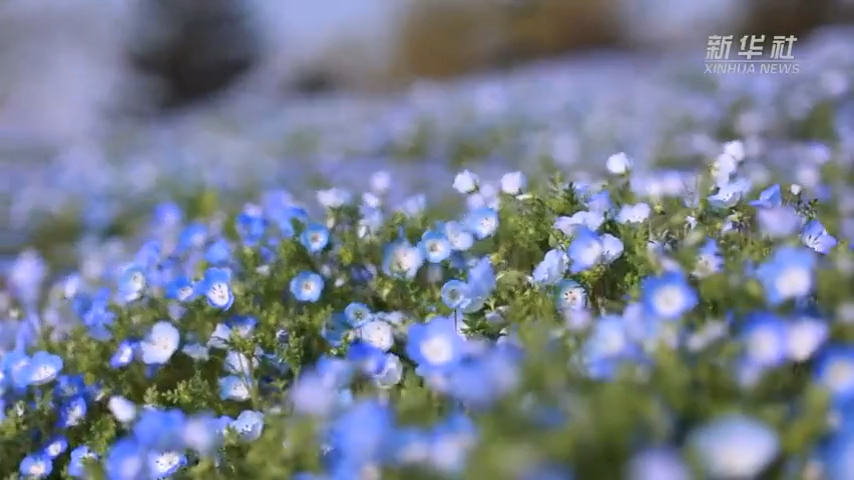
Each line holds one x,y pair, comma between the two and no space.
668,296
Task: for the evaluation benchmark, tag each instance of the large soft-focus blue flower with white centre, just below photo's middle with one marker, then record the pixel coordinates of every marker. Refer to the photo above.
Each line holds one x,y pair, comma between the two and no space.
435,344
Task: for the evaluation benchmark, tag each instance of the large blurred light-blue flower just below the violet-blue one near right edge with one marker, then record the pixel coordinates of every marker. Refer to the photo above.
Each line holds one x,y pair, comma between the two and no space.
787,275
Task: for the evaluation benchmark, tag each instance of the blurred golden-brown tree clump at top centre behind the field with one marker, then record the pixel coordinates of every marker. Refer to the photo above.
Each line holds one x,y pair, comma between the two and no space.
444,38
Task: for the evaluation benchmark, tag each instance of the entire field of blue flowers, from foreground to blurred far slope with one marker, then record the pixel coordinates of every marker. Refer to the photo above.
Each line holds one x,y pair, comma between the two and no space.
574,271
